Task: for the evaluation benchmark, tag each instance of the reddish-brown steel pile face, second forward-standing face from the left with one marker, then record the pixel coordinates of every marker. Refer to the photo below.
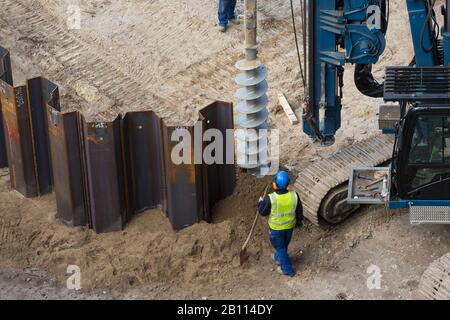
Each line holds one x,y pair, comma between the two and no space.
64,139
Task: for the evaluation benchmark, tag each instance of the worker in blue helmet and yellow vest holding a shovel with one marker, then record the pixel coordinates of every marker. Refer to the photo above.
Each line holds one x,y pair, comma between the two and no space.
285,212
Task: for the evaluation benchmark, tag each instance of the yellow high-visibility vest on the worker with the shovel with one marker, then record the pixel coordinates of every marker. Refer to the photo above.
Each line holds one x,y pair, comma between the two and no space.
282,212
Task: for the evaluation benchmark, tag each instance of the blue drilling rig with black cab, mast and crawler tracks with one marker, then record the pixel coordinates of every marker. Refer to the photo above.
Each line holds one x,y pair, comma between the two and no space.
414,147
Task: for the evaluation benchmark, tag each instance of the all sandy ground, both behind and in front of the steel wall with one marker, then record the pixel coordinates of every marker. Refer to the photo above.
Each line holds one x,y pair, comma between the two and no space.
168,56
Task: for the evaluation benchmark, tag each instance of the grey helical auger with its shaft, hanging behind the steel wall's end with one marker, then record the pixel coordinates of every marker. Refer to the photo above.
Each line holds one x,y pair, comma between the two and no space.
252,136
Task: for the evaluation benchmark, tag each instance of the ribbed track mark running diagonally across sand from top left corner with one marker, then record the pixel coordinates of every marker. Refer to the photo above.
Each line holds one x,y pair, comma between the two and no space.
83,61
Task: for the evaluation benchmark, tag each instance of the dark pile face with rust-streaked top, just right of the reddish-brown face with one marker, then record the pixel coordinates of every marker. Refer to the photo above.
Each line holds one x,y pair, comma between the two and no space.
105,175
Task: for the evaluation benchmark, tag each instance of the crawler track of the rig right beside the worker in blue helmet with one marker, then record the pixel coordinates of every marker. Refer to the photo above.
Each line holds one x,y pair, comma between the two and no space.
322,186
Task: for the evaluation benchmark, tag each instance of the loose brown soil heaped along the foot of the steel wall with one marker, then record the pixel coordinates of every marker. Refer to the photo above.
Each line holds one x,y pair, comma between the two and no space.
148,251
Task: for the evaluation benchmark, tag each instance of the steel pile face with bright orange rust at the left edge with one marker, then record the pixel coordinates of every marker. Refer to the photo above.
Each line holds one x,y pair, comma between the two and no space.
19,142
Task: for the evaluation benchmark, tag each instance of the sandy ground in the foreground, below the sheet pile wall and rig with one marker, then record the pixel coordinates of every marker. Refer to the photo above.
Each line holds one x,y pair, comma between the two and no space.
148,260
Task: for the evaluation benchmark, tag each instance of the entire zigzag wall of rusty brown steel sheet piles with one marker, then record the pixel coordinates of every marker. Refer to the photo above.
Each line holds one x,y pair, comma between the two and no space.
105,172
